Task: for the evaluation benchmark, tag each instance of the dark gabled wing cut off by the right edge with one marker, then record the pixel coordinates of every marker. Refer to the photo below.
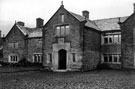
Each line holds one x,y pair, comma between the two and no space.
128,41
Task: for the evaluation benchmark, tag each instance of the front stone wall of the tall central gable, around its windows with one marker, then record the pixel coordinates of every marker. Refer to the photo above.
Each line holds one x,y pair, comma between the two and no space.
50,38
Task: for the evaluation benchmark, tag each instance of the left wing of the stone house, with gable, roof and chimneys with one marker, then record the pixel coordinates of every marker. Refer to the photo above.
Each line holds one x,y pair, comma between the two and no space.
23,42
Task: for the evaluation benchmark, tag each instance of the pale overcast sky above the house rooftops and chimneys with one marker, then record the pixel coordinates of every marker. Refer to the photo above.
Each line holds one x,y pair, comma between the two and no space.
28,10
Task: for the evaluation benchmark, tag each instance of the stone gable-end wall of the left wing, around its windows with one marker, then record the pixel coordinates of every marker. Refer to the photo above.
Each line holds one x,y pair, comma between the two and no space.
14,35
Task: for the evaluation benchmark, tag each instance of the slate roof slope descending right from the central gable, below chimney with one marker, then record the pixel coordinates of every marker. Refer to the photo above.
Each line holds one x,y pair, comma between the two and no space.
89,23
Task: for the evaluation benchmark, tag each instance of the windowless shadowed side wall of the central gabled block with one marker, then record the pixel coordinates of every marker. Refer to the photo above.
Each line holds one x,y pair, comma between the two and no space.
92,44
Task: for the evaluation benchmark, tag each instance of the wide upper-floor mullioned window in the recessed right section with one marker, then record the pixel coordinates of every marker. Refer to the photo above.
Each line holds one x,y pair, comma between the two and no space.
115,38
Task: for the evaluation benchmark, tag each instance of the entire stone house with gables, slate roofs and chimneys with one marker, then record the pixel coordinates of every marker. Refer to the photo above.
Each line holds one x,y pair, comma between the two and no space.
71,42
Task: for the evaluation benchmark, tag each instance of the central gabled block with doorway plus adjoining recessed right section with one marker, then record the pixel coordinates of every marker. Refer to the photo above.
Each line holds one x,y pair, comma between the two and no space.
72,42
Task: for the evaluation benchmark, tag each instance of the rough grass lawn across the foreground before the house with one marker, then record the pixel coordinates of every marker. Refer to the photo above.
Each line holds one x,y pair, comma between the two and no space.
105,79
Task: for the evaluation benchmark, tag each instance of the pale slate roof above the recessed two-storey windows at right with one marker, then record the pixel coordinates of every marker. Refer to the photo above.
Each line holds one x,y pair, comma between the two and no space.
110,24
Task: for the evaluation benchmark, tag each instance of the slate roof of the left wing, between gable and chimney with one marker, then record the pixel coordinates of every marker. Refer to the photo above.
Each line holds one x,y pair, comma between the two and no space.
31,32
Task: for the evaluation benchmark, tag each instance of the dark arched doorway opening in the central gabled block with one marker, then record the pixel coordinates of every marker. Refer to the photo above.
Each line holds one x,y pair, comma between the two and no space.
62,59
